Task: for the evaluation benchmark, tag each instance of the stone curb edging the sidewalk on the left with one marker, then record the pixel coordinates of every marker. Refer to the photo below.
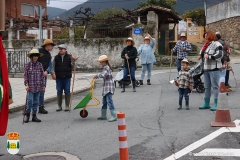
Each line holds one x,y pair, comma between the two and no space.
20,107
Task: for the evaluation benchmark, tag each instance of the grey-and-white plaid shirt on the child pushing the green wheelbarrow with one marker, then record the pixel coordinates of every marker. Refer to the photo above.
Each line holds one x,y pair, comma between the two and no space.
108,84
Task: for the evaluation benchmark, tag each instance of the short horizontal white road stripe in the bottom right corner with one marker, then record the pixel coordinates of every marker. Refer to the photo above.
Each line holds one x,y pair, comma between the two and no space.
219,152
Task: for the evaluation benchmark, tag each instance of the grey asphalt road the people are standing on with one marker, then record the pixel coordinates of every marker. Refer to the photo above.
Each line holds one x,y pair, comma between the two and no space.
155,128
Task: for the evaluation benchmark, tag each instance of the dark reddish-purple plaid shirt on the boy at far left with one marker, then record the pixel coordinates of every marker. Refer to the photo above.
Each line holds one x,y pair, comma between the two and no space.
34,77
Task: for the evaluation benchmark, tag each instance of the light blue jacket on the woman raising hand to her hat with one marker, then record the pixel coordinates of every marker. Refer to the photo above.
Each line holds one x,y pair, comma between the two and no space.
147,53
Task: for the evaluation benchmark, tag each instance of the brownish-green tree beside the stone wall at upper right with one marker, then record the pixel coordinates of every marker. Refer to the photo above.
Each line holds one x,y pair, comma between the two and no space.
197,16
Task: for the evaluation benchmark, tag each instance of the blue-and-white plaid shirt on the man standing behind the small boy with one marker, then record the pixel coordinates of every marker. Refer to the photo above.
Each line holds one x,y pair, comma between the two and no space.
178,48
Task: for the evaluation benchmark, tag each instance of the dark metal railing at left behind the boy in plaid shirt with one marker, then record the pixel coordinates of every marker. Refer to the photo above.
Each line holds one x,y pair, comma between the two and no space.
16,59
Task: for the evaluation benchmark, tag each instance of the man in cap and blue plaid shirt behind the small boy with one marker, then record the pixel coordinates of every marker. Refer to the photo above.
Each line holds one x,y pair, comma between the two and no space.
182,48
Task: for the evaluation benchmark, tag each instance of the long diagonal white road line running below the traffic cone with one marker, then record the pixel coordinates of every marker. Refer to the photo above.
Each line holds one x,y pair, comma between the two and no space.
204,140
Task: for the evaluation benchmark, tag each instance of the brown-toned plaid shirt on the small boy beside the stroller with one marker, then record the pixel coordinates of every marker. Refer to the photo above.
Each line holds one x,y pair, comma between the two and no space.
185,79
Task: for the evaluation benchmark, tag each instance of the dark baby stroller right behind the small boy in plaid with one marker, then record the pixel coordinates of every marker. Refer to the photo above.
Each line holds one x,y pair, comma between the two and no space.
197,71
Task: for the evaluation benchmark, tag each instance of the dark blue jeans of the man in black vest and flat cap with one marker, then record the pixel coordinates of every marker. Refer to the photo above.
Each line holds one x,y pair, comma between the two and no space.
63,84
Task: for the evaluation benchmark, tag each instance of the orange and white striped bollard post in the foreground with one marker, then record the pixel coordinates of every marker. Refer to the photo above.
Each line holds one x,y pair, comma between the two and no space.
122,134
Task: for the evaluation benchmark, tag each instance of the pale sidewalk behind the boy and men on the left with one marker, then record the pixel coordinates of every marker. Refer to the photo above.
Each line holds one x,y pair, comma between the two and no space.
19,93
